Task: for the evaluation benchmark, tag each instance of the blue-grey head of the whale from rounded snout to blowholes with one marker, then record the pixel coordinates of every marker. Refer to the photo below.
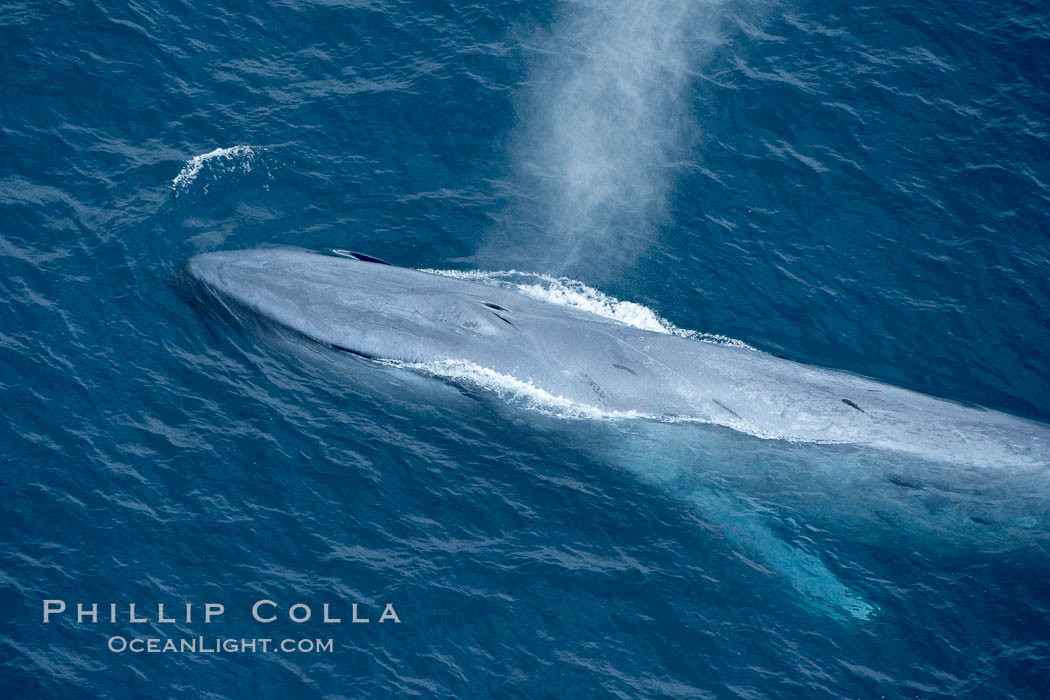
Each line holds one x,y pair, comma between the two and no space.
358,305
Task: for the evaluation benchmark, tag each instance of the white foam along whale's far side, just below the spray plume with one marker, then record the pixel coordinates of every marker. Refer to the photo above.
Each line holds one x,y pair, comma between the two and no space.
566,292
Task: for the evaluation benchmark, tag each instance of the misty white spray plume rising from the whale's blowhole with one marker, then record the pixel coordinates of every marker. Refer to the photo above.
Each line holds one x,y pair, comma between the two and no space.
604,129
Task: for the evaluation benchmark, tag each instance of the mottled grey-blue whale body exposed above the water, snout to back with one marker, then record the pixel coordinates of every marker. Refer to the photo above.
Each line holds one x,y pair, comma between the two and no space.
390,313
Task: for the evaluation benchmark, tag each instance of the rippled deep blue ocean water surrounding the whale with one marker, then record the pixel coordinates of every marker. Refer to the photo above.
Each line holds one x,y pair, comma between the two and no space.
856,186
